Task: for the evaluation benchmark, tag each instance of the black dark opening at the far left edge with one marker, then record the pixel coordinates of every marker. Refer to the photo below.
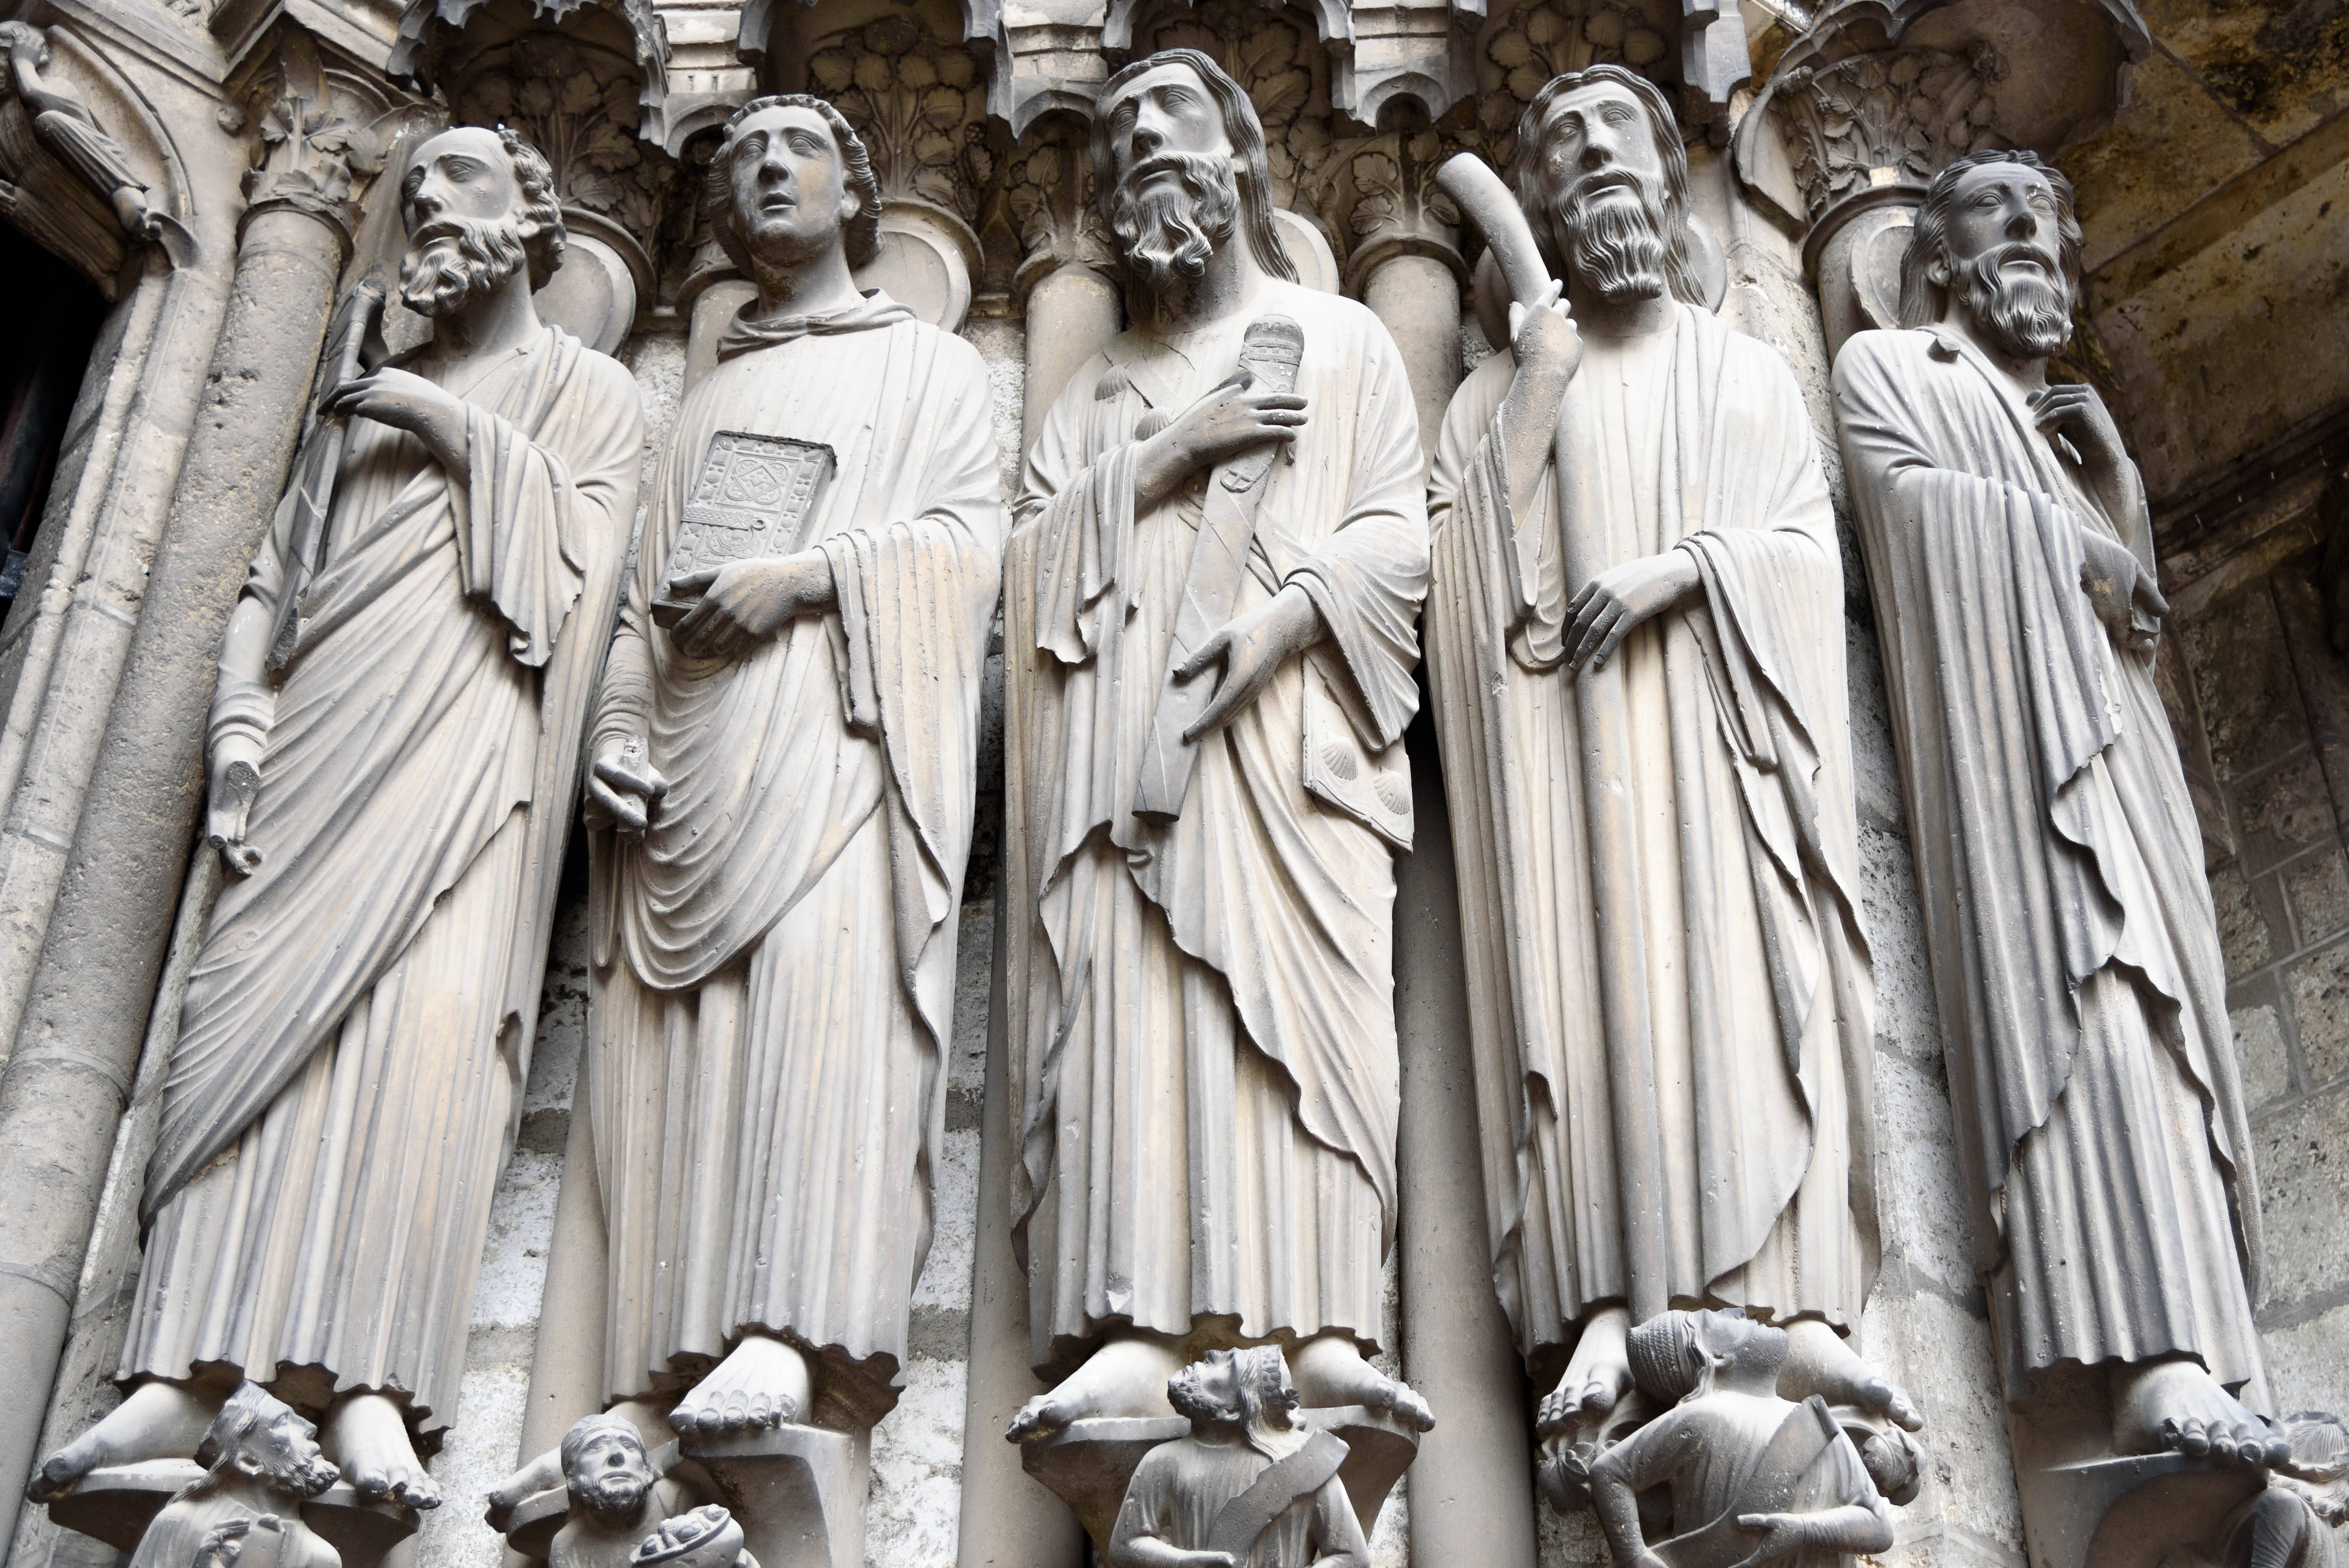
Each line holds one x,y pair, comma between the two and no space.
41,372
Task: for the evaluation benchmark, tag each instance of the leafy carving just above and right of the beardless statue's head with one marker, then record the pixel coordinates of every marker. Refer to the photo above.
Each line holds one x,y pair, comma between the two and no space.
920,107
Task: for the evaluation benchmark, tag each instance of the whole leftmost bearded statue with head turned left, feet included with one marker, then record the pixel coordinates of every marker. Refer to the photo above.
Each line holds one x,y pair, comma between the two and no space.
393,759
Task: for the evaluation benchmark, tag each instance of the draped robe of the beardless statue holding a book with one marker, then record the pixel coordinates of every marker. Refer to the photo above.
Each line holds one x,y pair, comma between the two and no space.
776,957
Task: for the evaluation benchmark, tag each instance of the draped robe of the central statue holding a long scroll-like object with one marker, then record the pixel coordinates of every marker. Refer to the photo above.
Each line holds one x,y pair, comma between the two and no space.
1202,1013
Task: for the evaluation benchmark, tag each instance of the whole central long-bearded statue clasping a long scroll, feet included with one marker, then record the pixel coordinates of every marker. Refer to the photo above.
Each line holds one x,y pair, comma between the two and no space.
1206,687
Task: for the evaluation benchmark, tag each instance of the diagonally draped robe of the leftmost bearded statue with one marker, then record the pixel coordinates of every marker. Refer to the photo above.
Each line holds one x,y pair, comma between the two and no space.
339,1102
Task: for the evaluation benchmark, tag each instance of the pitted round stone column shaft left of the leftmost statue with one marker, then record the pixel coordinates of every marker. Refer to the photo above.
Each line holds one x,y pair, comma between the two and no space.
86,1013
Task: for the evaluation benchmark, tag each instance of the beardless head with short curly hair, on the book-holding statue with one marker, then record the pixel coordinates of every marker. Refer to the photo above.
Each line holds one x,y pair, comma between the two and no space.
790,180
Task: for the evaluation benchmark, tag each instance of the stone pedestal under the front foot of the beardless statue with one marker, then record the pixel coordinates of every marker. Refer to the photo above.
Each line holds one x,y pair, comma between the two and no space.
797,1492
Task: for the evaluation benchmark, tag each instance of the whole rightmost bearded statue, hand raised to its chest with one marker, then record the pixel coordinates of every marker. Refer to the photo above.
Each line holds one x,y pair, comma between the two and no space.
2075,952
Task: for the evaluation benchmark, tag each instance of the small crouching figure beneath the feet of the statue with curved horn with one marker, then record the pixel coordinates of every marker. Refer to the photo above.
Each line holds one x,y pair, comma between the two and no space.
1754,1478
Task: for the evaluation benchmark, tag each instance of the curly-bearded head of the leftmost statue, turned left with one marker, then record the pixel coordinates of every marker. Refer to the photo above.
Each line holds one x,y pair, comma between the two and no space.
478,205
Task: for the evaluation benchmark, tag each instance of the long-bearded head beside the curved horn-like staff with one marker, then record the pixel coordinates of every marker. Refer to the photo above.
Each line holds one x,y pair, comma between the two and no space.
1606,182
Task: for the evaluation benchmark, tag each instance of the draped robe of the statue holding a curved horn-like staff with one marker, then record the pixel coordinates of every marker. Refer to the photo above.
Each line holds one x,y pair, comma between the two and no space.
1744,846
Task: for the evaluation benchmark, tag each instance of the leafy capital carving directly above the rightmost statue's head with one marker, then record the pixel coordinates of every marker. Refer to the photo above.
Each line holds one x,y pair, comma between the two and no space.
1892,116
